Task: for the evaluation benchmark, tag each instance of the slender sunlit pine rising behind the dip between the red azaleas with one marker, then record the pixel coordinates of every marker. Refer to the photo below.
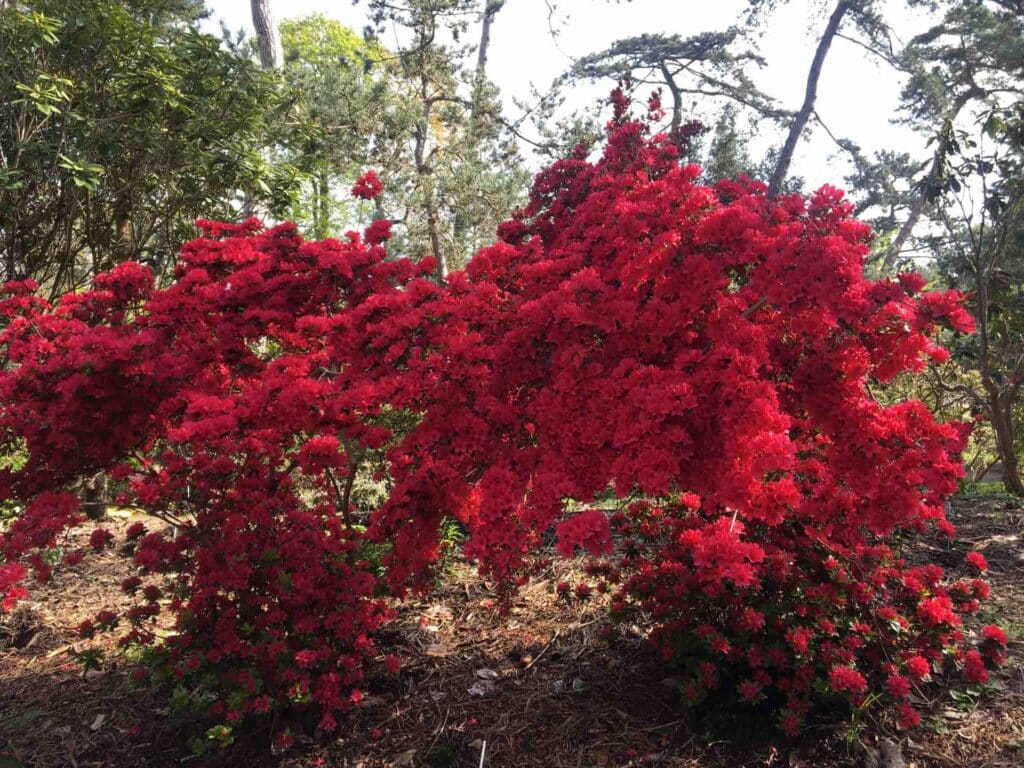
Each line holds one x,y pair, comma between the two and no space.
463,169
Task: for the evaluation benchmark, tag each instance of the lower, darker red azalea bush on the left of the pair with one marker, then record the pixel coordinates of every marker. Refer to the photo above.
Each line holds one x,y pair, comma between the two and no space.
237,405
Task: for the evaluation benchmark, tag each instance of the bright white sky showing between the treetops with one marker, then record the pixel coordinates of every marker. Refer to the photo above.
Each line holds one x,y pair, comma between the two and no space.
858,98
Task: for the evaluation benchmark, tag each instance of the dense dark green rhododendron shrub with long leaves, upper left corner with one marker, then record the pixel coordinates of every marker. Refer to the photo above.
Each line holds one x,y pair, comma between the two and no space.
120,124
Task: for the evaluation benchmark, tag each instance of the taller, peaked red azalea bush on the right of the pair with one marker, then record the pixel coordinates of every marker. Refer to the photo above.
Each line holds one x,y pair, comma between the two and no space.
709,350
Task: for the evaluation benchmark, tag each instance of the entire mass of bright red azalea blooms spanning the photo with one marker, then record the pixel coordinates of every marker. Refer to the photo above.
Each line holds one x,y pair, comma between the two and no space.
705,351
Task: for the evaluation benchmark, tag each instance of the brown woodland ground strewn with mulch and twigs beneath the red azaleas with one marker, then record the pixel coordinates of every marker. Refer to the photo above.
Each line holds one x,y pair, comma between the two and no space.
537,689
